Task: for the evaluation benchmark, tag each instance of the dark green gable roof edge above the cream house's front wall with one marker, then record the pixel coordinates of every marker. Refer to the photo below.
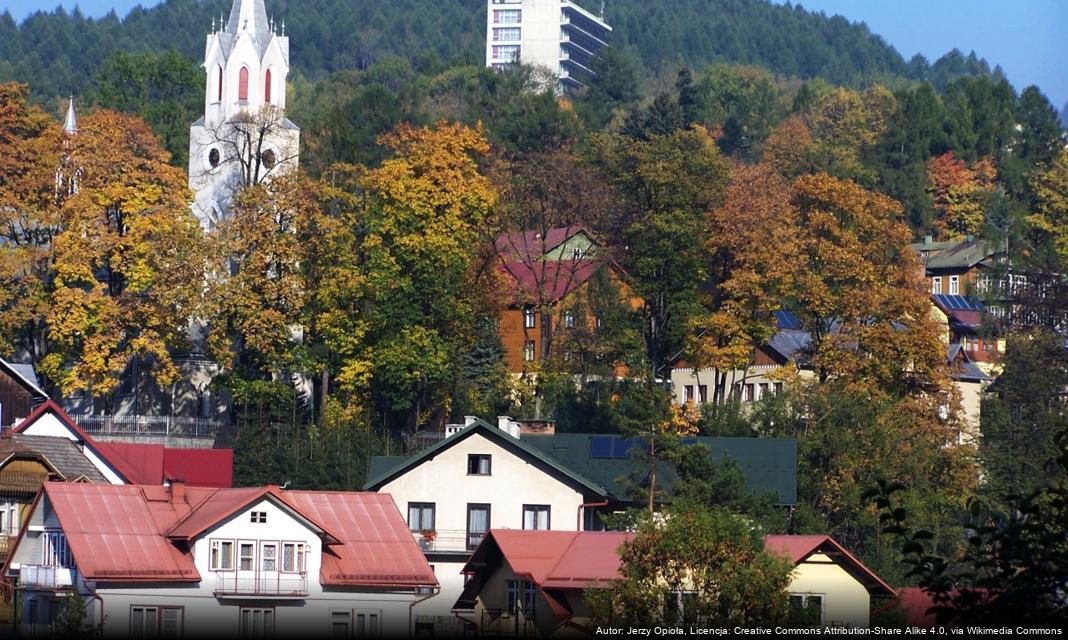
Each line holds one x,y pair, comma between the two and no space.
520,448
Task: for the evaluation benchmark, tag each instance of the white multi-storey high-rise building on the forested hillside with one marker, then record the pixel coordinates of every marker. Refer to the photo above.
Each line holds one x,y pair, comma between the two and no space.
556,36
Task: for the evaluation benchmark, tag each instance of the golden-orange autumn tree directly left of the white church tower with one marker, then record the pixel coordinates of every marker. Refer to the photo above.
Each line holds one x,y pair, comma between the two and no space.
129,263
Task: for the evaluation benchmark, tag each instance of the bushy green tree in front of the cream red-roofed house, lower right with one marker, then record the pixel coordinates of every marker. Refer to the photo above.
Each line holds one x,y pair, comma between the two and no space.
695,567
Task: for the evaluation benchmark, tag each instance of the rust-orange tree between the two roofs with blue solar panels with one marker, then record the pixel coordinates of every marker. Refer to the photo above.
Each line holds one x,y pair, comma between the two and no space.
859,291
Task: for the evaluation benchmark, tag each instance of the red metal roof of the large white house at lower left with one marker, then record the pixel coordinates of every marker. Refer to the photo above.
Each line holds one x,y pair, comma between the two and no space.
127,533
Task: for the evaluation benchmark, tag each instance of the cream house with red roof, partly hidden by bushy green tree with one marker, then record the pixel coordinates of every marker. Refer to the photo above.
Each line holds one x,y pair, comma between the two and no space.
533,583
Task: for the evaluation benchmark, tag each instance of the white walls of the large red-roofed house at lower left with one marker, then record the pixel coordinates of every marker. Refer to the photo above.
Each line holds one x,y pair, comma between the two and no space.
274,591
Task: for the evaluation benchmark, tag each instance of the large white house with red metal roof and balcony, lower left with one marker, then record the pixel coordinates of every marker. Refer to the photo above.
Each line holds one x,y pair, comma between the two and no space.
178,561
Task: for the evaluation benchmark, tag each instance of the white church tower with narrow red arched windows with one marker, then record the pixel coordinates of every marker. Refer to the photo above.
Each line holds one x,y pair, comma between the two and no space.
244,137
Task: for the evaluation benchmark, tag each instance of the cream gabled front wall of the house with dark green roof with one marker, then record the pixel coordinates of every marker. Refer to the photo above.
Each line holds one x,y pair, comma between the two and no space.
514,490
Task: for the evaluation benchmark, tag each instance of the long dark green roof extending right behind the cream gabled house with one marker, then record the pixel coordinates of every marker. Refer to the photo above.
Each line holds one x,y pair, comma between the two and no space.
769,464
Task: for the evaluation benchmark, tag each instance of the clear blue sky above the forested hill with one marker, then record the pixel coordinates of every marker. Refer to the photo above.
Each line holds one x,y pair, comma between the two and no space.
1029,39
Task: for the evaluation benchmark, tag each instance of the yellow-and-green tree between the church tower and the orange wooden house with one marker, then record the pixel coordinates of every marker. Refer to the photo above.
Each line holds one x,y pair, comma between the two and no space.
400,299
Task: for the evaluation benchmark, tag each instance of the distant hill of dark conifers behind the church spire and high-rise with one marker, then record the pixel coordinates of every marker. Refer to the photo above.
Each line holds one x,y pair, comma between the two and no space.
58,53
